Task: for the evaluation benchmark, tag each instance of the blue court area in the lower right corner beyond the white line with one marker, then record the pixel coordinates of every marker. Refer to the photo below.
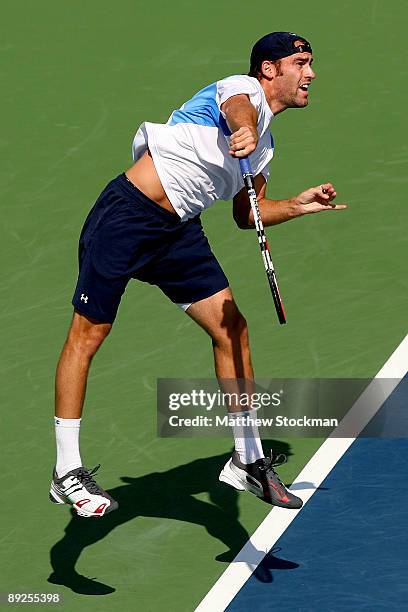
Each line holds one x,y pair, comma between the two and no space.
347,550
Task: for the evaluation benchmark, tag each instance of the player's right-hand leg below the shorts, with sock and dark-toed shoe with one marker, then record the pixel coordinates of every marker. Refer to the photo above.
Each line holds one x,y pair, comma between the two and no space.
248,469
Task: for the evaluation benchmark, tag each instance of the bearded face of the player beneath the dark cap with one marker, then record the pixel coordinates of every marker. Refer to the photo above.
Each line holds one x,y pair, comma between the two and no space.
292,81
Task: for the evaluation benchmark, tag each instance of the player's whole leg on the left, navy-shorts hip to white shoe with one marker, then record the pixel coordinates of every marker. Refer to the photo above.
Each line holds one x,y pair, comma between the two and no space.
112,248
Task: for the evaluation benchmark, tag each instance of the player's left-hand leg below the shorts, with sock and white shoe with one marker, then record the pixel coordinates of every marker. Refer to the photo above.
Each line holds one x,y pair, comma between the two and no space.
72,483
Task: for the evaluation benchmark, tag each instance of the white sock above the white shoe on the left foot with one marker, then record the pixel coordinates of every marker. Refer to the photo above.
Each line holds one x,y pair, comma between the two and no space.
67,437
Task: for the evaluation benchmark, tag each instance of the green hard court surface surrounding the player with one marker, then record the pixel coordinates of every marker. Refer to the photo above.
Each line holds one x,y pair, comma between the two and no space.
77,80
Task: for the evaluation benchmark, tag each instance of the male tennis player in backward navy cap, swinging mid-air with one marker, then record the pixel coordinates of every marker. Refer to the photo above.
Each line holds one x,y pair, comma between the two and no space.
146,225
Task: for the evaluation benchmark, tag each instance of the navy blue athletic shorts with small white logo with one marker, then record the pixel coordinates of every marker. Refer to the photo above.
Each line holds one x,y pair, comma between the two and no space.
125,236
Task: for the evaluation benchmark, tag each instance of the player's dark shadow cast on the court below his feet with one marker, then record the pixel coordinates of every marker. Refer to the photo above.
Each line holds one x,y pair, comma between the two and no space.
163,495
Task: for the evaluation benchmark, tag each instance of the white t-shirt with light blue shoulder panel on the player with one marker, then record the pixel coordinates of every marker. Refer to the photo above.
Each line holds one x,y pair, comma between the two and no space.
191,154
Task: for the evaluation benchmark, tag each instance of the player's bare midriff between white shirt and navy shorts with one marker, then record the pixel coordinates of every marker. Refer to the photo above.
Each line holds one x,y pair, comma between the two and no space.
143,175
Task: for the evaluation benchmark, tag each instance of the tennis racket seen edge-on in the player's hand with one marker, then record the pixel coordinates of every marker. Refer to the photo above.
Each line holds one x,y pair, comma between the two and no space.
248,177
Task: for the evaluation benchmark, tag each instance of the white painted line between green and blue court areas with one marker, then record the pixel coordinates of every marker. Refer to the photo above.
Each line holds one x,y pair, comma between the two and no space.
315,471
